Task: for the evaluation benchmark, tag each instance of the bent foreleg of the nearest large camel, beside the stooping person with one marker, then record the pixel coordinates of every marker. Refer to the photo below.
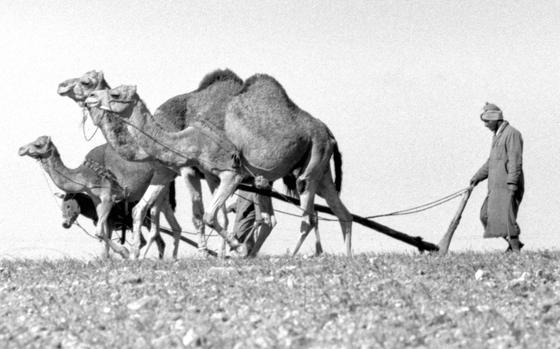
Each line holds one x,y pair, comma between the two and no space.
228,183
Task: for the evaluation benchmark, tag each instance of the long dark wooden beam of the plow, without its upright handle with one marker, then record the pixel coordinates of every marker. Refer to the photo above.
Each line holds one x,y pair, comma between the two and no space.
416,241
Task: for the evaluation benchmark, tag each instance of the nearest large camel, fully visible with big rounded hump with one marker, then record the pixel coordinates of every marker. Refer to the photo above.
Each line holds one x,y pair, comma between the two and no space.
259,132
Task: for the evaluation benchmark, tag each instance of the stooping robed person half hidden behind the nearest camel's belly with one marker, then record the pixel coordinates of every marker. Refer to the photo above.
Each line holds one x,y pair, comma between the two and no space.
254,217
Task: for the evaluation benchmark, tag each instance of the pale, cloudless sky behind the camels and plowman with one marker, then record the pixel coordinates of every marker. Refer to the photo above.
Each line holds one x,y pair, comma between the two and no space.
400,83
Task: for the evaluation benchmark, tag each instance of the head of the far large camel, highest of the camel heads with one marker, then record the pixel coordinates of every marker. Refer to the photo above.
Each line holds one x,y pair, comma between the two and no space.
79,89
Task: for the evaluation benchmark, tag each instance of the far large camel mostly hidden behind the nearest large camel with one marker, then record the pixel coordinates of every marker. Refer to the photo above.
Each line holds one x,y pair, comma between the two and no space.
173,115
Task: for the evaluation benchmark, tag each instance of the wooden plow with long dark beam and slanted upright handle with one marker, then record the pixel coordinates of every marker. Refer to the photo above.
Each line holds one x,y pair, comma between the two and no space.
415,241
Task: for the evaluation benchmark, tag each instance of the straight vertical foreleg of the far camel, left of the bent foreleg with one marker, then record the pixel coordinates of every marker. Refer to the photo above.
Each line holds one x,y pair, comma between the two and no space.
194,190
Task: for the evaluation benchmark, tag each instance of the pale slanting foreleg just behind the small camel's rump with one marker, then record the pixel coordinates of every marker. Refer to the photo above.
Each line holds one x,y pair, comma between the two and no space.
139,212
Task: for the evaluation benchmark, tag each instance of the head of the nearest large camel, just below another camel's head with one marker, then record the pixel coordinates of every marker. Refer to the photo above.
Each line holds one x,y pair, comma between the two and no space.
118,100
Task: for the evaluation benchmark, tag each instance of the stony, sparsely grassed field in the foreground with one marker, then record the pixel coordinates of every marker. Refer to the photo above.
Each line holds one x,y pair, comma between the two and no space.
465,300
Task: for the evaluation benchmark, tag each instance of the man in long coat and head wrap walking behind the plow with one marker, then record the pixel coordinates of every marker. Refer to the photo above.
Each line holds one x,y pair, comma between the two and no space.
504,170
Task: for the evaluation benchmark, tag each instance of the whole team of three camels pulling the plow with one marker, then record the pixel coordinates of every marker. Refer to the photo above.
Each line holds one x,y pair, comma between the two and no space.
226,131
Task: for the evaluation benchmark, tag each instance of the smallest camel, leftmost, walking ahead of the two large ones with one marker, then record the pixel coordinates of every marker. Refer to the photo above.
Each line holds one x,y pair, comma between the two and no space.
107,179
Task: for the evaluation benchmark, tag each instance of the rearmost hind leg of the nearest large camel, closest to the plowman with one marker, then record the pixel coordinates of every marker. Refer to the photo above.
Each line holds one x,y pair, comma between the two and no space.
328,191
